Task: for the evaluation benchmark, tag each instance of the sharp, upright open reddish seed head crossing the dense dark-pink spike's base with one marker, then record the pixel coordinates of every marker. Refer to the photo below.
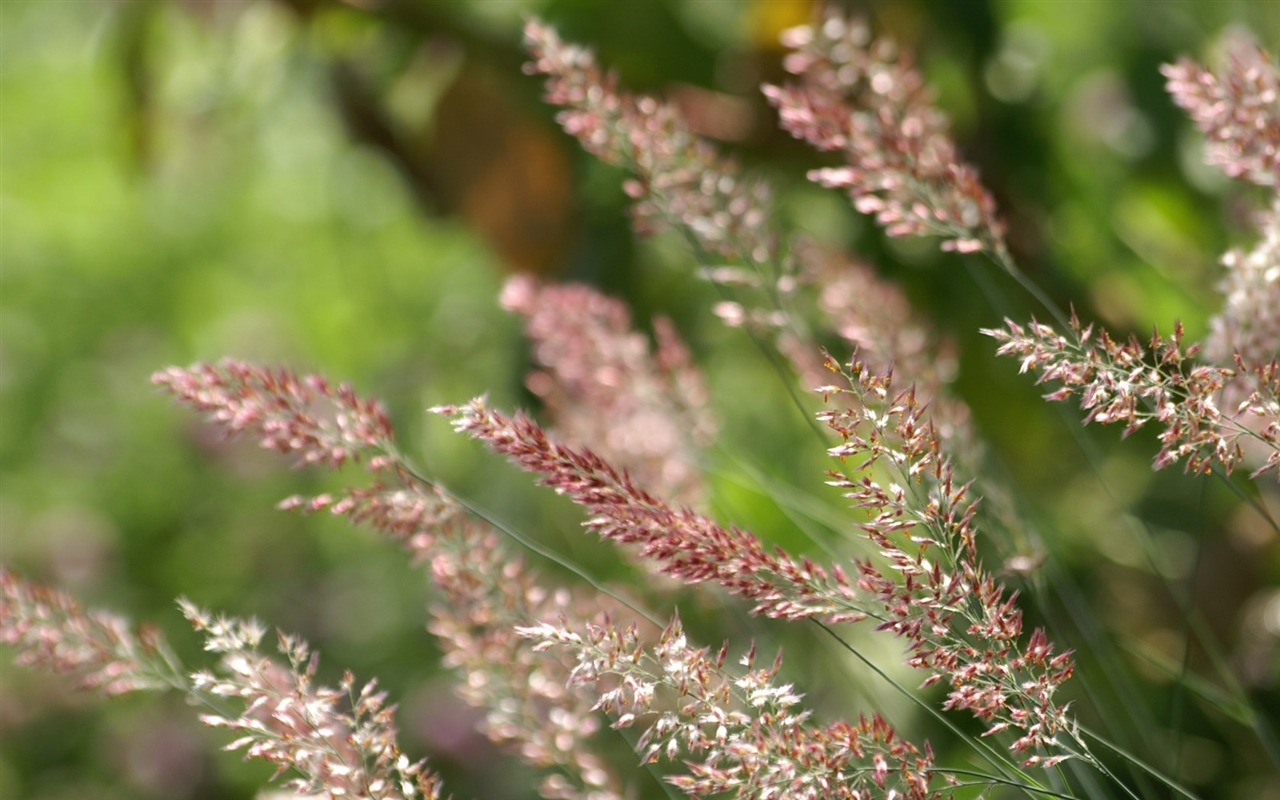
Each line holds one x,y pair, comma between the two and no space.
930,586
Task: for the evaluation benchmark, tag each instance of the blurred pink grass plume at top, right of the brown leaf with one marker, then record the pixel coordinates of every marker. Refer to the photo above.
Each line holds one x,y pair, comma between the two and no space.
865,99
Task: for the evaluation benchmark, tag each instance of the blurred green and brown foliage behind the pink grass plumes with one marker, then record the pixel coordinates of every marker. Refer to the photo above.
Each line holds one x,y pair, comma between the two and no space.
342,189
